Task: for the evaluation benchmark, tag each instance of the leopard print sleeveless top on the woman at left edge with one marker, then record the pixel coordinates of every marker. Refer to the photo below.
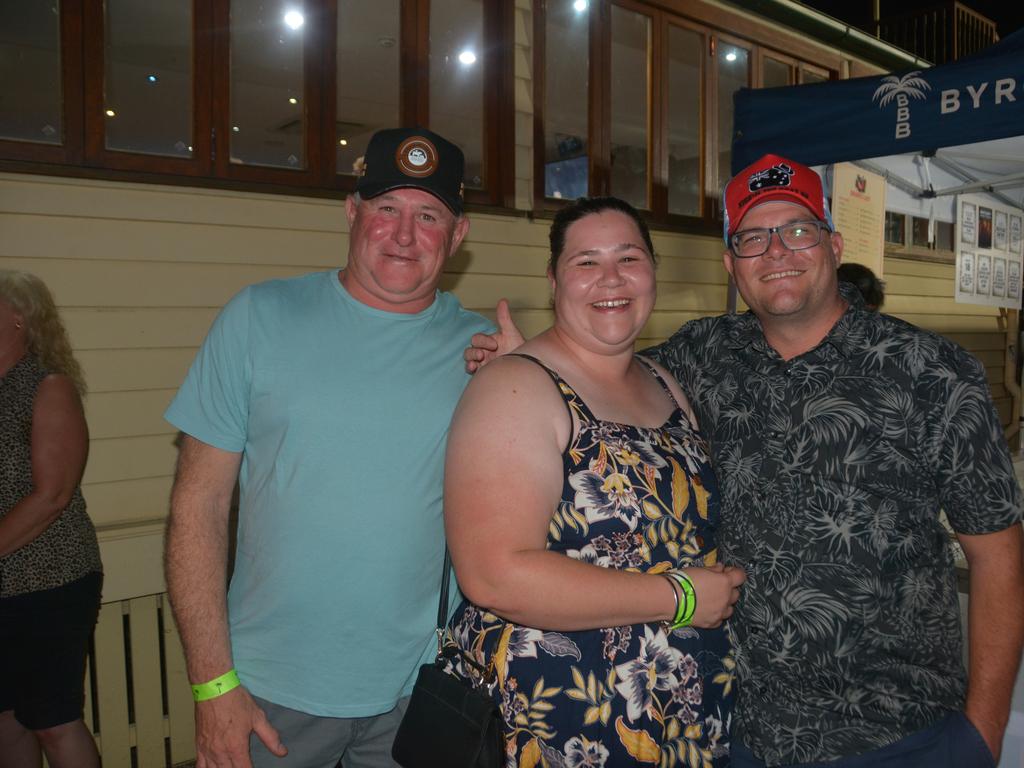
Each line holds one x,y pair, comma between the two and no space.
67,550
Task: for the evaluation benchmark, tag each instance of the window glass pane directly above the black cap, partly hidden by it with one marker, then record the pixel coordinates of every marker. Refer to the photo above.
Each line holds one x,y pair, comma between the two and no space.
369,41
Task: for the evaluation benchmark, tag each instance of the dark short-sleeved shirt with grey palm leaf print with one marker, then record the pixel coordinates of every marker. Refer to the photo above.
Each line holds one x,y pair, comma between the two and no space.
833,468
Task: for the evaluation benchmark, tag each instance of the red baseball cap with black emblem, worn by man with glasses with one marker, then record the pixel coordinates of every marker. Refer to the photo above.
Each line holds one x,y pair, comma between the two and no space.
774,179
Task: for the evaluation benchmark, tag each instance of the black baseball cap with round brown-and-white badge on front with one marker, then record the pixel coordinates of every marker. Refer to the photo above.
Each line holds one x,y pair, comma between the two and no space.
413,157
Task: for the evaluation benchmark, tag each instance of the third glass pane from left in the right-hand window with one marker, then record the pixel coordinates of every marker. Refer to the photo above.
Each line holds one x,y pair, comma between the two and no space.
686,56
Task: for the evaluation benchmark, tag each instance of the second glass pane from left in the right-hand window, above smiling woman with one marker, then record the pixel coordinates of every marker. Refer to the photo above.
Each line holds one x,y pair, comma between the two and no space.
630,46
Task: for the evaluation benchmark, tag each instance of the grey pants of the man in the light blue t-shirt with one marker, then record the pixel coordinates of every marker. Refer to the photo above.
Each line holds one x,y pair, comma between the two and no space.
324,743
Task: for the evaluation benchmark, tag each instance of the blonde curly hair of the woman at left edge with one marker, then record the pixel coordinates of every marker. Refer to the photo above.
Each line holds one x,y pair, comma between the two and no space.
45,332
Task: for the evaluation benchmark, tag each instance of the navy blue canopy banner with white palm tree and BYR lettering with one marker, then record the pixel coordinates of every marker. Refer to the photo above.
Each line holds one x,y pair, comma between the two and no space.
973,100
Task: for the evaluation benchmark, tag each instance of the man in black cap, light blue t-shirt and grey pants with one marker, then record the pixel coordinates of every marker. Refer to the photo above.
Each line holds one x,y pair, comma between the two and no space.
328,398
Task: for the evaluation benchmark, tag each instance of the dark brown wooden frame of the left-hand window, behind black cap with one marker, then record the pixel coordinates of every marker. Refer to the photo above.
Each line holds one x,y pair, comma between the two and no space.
84,153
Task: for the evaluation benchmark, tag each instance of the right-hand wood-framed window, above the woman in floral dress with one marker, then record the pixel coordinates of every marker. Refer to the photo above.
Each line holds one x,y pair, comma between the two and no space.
636,101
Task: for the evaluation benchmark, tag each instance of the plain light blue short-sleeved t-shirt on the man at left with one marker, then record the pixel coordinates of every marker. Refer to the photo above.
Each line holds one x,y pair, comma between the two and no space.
342,412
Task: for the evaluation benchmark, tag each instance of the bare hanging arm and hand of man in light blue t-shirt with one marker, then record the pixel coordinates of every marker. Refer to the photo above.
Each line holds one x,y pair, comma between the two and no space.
196,564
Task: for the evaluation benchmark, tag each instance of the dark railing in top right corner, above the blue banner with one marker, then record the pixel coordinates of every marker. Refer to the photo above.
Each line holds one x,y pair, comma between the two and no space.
942,33
